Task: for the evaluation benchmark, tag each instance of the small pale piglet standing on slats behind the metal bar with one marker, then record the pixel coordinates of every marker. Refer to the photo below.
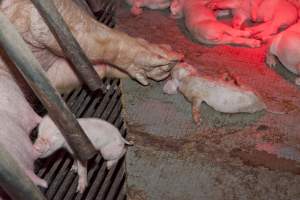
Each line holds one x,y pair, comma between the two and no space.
104,136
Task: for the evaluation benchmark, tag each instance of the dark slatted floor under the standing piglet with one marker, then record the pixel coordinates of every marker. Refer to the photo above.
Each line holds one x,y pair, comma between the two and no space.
103,184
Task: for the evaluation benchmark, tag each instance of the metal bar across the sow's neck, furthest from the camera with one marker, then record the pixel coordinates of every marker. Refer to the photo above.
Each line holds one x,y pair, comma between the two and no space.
68,43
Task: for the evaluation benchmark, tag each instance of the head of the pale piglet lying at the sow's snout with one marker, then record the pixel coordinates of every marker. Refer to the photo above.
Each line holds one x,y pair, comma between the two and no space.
180,71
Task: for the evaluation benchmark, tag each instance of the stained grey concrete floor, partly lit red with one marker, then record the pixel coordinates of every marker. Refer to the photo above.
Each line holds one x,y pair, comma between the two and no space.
229,157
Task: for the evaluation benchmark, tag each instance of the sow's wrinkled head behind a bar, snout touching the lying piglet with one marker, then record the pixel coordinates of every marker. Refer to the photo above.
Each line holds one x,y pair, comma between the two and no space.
102,44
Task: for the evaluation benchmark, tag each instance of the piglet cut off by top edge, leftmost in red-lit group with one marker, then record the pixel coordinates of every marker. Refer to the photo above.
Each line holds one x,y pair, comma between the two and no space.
137,5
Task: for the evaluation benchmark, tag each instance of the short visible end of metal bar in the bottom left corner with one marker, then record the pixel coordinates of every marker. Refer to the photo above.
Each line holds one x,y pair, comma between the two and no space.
14,181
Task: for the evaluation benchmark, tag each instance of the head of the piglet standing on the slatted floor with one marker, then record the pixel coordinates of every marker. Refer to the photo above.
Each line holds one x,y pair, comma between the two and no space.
49,138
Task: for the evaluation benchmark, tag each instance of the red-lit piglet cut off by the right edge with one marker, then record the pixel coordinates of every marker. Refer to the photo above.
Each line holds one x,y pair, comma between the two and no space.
284,46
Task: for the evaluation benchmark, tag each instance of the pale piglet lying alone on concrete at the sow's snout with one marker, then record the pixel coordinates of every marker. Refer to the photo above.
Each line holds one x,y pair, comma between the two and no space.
223,95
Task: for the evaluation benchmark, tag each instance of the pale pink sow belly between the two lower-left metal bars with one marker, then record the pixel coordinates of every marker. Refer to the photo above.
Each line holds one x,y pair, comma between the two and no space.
17,121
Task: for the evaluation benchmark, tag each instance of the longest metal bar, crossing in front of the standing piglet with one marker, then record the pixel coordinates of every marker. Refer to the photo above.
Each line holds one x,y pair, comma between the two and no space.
26,63
